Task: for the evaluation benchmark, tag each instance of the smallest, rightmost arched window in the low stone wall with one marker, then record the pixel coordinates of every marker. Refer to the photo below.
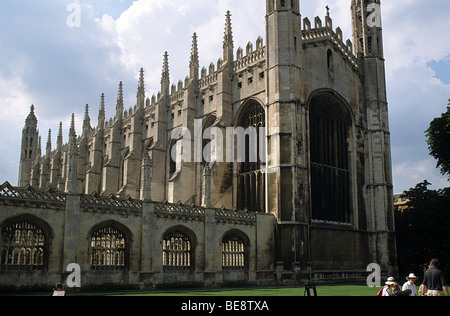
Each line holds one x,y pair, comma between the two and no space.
234,253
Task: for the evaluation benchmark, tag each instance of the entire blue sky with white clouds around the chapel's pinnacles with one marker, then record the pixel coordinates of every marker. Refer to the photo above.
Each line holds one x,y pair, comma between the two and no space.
61,69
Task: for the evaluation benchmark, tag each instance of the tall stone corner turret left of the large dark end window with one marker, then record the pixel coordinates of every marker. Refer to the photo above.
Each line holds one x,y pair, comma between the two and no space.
284,101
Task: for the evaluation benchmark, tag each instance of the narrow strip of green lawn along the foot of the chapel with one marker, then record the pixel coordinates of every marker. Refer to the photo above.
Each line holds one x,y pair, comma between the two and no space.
343,290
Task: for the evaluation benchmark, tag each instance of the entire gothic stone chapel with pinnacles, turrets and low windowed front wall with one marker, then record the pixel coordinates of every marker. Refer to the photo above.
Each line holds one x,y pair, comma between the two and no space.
115,200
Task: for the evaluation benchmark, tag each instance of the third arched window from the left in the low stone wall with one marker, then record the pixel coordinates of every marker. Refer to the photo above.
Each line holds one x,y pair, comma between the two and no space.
177,251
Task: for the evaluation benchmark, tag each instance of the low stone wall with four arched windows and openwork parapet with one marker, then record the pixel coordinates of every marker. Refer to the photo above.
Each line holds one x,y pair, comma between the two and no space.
128,244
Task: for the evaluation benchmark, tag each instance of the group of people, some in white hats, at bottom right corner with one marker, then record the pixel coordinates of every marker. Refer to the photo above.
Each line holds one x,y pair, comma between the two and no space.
434,284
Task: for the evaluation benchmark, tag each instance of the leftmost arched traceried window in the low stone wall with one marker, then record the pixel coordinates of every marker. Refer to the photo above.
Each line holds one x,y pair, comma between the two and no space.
24,245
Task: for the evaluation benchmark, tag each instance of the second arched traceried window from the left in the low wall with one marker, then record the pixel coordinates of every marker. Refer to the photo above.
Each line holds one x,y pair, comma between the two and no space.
108,248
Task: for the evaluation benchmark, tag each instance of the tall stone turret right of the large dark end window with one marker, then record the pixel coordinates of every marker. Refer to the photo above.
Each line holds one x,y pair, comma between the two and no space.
367,36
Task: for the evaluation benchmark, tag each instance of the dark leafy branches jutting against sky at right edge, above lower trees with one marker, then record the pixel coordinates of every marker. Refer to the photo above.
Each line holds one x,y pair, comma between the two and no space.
438,139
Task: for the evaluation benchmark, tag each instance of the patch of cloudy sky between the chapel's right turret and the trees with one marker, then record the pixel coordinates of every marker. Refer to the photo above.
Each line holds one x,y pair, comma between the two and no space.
413,36
